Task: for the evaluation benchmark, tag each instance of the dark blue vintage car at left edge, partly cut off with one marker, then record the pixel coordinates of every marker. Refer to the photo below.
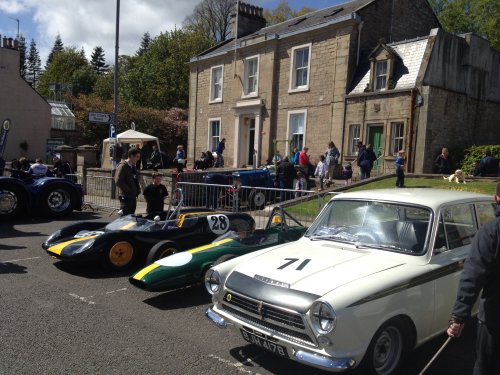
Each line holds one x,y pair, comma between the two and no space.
51,196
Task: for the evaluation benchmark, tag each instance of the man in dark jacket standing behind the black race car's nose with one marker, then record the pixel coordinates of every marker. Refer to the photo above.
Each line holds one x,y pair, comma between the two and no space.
127,180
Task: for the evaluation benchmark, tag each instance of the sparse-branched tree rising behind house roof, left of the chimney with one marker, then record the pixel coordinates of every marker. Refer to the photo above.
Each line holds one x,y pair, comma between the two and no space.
213,18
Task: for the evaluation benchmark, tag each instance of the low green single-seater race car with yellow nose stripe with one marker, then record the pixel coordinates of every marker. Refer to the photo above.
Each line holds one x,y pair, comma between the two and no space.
189,267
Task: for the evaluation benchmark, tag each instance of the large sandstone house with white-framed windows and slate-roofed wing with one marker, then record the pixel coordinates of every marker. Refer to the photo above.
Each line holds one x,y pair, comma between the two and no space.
373,70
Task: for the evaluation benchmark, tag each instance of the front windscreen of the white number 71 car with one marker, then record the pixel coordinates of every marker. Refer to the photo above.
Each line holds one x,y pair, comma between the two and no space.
373,224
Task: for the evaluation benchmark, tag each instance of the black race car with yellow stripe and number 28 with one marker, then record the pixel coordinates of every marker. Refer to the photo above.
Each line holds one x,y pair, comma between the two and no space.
129,238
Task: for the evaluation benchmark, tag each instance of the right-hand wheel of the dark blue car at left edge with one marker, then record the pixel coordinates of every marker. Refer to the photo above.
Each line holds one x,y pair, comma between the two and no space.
57,200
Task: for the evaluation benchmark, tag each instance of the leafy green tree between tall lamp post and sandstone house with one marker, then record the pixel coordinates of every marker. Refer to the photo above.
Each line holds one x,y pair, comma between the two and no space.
160,78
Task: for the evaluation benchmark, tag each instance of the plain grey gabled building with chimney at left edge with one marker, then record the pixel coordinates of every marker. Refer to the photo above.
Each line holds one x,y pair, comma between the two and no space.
29,113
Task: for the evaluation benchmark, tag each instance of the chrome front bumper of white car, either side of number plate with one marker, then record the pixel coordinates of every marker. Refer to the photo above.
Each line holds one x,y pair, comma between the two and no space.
302,355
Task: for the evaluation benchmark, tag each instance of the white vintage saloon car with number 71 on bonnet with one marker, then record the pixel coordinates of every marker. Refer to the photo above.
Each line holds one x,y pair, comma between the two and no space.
375,275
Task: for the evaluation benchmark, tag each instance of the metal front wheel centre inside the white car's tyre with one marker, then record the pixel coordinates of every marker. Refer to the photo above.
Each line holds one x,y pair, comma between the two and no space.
387,351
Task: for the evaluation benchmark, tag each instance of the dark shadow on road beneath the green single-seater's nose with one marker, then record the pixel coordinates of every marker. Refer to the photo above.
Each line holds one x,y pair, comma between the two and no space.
180,298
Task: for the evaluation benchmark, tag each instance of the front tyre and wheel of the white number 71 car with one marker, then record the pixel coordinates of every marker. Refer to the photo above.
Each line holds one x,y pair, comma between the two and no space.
387,349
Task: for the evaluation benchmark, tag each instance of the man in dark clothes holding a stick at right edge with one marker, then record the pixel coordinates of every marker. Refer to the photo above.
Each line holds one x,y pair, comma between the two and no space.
482,272
